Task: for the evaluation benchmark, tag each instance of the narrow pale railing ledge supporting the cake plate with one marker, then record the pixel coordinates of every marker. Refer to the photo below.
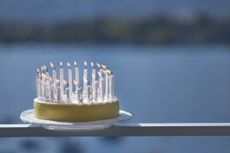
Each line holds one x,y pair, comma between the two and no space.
123,129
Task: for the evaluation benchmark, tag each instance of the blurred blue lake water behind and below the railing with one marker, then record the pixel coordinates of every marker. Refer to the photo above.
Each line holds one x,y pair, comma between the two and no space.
155,84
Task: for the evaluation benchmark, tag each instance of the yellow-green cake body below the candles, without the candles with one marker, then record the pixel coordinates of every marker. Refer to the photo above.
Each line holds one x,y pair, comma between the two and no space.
76,112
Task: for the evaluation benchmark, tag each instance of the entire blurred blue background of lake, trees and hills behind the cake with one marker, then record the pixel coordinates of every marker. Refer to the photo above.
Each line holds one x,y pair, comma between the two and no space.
171,60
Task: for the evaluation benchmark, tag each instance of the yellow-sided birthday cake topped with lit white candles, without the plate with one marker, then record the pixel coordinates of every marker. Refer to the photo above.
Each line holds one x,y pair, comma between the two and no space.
65,100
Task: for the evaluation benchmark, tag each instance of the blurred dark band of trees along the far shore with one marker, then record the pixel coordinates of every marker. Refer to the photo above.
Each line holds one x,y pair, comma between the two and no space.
152,30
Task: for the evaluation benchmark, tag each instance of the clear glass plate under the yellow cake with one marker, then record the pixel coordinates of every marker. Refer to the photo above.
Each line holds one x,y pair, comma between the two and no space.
28,117
